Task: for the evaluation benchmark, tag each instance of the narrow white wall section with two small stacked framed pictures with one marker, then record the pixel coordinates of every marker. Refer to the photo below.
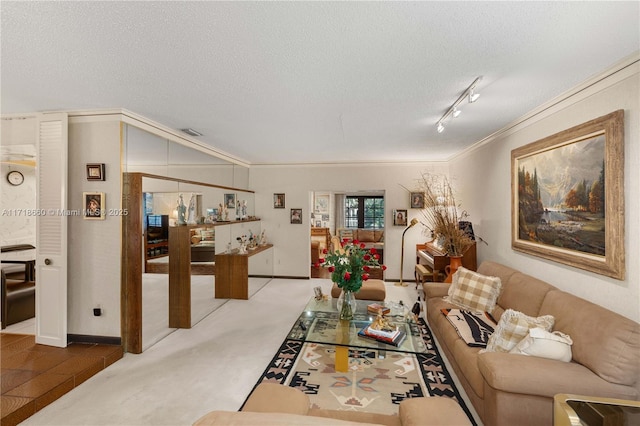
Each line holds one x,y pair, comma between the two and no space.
94,245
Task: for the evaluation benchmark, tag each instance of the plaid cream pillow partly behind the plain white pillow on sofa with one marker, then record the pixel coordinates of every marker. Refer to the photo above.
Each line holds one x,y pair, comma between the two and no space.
513,327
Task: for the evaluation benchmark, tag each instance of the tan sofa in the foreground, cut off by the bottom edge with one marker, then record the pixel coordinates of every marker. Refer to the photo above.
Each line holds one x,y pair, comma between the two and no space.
275,404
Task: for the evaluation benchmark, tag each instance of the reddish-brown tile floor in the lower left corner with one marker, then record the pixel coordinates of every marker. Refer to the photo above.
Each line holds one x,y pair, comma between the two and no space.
35,375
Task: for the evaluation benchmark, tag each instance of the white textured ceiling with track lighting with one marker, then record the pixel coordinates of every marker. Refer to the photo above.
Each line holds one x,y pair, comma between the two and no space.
298,82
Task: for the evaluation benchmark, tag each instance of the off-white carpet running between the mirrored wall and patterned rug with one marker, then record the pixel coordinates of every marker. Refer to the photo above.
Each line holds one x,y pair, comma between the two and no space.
212,366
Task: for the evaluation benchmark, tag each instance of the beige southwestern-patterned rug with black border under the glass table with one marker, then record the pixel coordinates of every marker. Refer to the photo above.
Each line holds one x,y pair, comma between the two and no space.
377,380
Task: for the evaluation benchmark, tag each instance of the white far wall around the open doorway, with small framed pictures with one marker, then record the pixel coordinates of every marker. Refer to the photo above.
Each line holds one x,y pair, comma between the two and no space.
292,251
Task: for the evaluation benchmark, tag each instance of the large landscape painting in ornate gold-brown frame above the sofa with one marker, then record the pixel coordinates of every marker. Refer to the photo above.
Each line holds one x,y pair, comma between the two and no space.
568,196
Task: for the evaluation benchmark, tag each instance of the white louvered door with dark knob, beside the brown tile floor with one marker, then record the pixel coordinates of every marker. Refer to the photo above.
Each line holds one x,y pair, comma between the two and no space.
51,230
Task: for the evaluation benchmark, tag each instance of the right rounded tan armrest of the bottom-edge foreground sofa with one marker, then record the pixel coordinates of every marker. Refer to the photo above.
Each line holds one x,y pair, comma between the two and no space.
433,410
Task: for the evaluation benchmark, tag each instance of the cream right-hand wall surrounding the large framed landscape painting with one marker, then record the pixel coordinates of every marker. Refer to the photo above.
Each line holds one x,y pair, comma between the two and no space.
486,173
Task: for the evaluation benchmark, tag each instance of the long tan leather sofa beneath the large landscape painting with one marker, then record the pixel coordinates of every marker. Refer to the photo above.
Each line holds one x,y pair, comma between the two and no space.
510,389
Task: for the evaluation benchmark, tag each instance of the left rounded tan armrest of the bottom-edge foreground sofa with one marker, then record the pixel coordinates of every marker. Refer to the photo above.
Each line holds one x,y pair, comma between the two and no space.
277,398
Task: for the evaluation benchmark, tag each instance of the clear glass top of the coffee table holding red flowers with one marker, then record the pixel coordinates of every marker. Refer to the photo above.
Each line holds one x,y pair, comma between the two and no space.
319,323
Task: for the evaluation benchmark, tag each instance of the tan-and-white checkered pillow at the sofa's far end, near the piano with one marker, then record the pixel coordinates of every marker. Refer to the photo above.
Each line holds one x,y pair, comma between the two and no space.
473,291
